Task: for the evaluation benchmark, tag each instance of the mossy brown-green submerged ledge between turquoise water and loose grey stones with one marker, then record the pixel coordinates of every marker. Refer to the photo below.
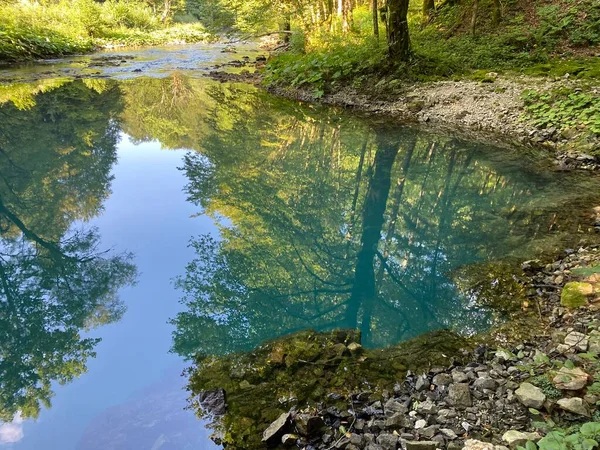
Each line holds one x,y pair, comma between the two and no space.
302,369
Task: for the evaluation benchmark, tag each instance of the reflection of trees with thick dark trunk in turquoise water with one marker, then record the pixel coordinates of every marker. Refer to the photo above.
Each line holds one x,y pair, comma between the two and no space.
329,222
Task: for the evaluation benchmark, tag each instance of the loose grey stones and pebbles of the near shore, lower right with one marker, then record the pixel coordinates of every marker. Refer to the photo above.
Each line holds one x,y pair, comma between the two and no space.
498,396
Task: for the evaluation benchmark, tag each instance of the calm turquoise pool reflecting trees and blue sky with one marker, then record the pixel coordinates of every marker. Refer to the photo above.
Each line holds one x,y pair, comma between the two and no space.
144,221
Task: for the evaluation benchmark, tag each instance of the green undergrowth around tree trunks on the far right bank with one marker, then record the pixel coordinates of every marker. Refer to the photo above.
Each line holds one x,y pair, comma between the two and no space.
546,37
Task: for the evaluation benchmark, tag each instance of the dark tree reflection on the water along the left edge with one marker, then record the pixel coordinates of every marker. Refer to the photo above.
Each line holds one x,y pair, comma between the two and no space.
55,162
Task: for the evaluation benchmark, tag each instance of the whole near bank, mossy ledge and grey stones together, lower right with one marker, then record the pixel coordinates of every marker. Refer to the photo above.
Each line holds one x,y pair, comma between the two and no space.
492,392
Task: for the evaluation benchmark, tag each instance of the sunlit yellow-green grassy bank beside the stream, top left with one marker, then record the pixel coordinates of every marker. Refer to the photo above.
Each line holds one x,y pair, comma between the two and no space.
41,30
